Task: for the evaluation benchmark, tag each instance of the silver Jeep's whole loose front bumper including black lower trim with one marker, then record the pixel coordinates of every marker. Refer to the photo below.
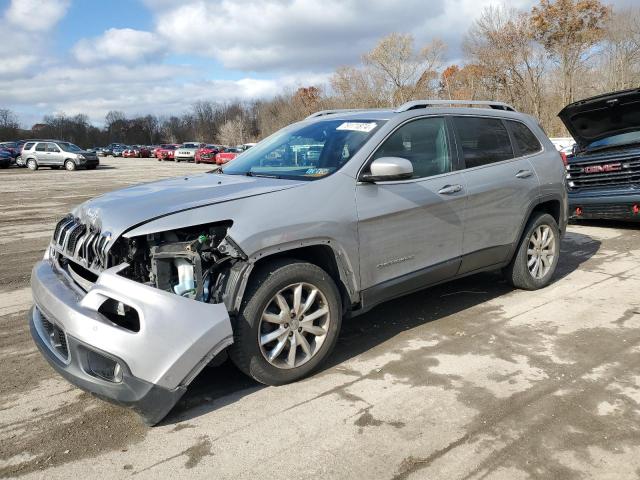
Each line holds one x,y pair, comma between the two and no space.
177,337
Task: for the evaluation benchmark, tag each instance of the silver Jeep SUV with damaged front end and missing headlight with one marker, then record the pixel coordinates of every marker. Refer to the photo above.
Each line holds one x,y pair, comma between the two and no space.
141,288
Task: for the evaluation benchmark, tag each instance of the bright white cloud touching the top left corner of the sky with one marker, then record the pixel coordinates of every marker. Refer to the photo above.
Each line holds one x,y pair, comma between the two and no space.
36,15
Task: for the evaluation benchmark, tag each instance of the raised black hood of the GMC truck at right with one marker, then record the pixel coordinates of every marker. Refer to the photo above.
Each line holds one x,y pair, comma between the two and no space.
603,116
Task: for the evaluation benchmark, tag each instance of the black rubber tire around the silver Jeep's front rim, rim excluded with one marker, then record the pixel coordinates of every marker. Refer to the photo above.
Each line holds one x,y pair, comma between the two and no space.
264,285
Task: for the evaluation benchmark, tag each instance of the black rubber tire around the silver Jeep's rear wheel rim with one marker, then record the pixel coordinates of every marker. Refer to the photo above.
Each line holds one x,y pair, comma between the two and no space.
517,273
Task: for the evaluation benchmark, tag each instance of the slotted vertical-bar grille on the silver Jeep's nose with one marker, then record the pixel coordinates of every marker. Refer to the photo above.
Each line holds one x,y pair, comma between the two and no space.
85,245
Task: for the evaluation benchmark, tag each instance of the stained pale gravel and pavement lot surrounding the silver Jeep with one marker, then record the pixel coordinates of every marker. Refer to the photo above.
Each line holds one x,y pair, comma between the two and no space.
467,380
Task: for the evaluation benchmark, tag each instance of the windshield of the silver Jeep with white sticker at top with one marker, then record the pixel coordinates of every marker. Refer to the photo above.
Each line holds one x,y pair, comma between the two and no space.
305,152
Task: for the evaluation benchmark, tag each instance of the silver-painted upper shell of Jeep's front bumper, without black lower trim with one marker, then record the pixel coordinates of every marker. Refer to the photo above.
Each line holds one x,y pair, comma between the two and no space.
175,333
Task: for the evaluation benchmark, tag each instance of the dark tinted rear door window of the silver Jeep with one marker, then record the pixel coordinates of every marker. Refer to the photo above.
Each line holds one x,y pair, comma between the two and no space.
483,140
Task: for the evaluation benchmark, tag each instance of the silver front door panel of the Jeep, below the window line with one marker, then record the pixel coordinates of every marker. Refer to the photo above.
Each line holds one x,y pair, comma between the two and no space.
406,226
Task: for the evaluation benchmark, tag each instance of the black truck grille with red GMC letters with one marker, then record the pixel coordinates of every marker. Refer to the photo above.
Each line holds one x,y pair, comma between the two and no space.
613,172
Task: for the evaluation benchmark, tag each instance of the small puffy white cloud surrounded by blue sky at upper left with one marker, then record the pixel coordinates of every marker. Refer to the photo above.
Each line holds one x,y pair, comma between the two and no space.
123,44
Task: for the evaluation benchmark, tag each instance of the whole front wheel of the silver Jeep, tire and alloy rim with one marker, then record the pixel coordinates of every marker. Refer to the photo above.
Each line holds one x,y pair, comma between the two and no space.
288,324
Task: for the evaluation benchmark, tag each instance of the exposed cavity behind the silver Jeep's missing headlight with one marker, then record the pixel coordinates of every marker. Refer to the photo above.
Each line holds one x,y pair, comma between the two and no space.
192,262
